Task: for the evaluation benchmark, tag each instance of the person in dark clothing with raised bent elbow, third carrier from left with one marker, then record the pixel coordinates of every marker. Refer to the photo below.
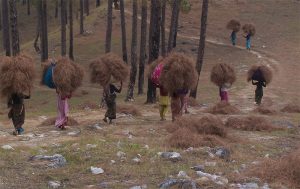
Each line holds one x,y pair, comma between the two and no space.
110,99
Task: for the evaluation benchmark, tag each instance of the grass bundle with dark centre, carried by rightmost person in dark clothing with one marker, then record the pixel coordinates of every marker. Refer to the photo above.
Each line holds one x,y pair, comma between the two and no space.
260,73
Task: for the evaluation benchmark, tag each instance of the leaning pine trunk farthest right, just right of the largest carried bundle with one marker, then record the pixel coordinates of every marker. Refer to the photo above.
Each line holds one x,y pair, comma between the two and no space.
201,44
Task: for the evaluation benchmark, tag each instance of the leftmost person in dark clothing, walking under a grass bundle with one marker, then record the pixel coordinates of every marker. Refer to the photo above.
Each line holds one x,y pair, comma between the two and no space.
17,111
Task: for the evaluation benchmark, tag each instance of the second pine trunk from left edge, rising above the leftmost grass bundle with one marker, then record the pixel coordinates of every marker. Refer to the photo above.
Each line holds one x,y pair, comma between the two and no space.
14,28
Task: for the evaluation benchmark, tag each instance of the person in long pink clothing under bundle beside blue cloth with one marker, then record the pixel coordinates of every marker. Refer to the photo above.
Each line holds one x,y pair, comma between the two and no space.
63,110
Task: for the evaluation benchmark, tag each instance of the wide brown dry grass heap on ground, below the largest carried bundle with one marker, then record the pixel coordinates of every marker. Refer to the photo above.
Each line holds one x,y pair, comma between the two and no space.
195,132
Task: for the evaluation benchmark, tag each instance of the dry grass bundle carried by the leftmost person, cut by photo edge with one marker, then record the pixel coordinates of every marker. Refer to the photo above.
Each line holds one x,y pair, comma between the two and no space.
16,75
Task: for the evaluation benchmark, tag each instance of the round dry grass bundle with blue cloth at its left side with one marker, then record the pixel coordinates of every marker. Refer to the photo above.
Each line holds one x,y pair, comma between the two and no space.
67,76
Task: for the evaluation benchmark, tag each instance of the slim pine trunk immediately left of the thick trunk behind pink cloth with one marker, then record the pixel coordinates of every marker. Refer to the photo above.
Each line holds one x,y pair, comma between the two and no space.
143,47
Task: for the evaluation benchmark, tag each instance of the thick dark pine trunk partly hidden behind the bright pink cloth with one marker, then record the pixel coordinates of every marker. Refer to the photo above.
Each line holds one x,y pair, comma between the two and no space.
154,44
